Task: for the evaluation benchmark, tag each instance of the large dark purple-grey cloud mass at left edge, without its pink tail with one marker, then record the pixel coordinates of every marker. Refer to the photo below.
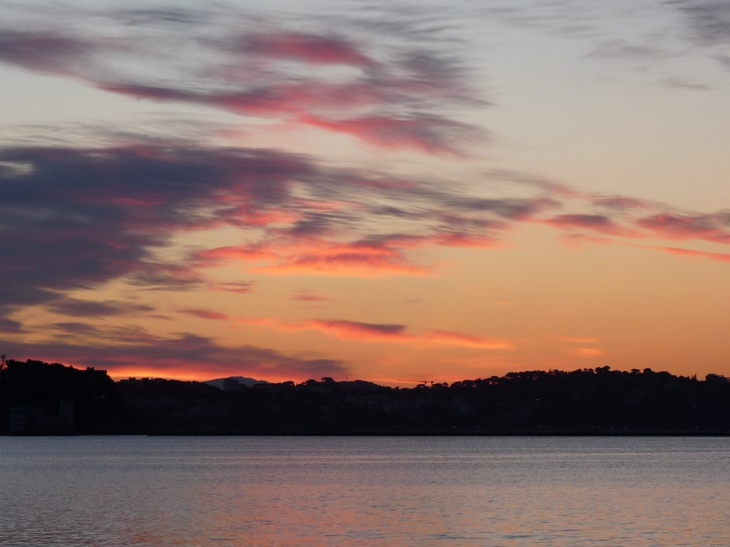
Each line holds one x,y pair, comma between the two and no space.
80,217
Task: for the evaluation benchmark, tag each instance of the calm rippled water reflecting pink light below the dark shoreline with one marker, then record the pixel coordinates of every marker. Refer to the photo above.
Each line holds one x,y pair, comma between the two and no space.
99,491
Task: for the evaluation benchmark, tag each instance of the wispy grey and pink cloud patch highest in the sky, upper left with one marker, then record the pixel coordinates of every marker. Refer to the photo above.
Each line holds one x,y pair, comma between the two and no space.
394,96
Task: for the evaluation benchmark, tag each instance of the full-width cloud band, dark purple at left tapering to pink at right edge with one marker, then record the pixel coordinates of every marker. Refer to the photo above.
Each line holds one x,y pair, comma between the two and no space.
80,217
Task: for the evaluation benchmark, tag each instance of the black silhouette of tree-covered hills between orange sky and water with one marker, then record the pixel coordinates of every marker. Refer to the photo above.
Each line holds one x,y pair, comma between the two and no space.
597,401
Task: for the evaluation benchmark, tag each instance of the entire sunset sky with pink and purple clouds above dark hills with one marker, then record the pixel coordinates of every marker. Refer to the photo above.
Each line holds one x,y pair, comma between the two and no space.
390,191
